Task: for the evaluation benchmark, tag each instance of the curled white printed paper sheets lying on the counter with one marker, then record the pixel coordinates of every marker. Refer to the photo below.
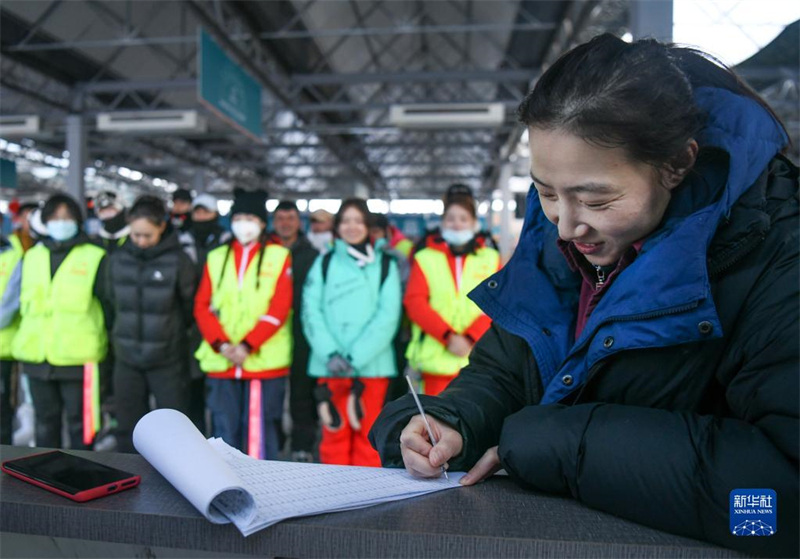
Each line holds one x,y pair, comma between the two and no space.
227,485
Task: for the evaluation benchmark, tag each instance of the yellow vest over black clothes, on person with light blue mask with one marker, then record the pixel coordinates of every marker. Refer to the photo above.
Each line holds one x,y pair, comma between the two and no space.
61,321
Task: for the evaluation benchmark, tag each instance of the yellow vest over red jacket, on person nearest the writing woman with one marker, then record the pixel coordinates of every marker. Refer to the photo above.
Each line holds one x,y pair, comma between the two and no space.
424,352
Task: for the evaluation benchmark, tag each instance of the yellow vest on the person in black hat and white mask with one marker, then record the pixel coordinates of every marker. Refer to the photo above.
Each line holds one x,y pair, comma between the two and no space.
239,310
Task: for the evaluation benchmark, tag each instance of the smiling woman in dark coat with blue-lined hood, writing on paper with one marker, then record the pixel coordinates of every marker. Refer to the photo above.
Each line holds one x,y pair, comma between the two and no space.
645,332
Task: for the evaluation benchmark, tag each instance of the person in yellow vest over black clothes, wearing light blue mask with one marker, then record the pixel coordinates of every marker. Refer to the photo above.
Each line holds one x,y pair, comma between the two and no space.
61,339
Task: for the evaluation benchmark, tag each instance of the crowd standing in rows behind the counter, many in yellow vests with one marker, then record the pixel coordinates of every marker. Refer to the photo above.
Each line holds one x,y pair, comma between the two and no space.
239,329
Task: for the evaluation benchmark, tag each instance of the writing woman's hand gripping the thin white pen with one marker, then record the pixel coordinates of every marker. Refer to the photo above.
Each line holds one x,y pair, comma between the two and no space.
419,456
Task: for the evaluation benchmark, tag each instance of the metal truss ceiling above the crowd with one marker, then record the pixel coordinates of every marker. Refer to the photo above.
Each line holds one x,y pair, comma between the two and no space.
329,73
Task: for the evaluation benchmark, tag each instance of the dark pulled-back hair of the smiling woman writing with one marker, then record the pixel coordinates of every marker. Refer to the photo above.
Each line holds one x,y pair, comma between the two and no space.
636,96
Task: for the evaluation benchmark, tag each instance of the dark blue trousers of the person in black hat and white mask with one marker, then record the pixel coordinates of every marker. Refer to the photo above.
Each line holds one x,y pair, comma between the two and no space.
228,400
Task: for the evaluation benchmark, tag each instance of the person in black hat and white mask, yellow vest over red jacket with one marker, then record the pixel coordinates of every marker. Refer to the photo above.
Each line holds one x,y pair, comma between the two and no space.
242,308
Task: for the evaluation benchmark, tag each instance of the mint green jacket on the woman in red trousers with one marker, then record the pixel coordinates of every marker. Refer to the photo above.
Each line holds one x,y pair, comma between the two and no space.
352,313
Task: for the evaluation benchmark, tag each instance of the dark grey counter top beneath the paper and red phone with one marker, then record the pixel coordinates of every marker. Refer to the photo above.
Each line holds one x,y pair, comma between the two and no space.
493,519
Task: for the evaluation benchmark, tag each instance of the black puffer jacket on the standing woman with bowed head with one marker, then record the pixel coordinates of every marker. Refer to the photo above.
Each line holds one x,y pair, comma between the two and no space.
153,294
